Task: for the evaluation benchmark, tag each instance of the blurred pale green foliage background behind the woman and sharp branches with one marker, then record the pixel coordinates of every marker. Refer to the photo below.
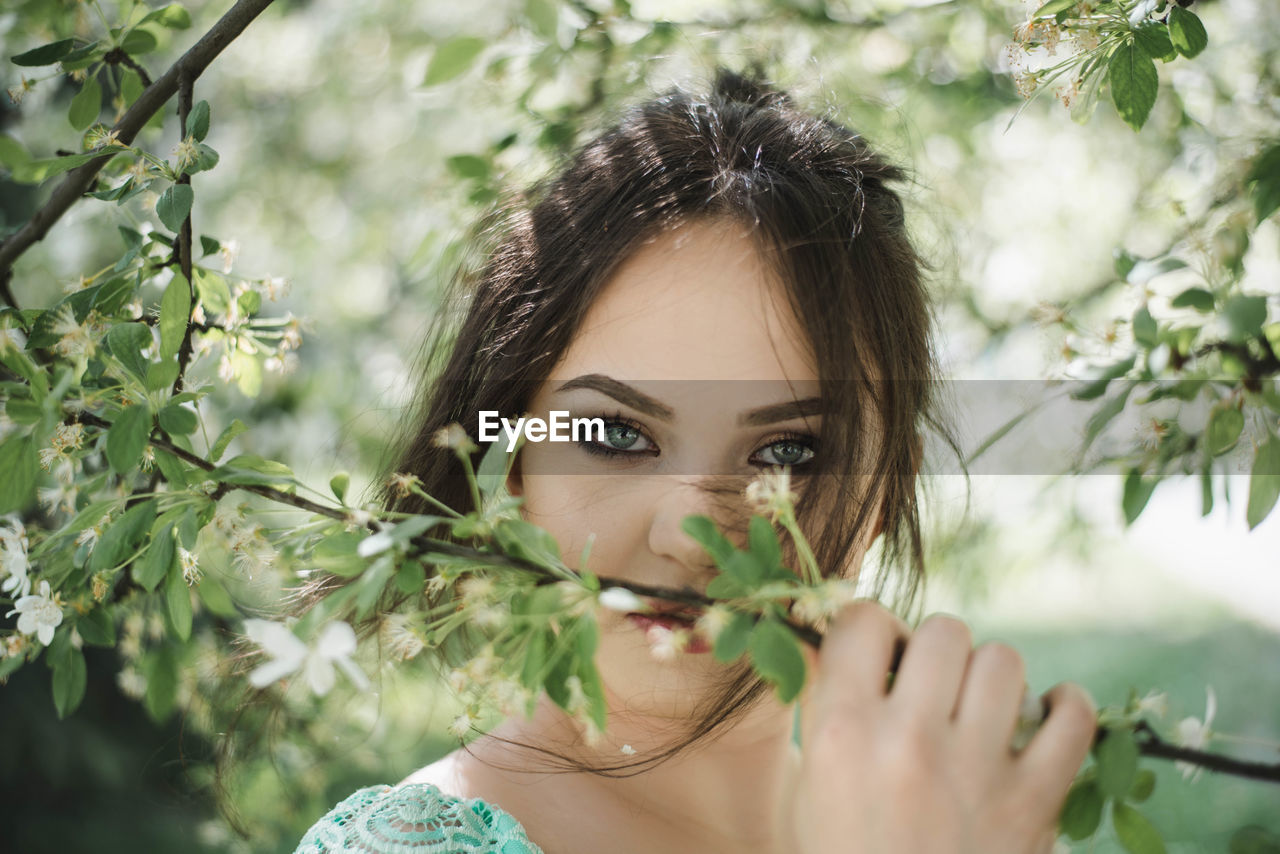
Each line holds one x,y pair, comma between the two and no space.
359,141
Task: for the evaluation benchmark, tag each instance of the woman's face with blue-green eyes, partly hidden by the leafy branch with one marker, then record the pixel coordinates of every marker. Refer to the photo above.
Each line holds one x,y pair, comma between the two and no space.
697,364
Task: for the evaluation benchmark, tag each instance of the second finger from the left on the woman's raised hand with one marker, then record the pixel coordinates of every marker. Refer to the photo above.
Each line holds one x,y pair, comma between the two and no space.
934,666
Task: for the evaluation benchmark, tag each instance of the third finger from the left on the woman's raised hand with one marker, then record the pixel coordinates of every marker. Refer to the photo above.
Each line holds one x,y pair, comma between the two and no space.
991,697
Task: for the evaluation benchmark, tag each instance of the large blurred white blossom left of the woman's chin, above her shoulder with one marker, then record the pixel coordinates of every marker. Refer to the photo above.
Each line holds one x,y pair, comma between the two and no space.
289,654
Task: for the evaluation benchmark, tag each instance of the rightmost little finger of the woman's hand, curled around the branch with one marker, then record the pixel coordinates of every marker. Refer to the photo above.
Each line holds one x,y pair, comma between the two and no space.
1059,748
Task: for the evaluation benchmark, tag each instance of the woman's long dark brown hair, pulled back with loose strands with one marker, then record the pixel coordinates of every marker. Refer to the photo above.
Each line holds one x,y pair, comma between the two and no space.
819,200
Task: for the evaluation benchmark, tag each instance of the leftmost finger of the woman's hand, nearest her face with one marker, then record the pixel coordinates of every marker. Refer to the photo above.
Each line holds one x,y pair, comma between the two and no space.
858,652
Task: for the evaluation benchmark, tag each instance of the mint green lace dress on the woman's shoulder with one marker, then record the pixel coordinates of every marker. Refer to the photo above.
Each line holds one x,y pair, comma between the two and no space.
415,819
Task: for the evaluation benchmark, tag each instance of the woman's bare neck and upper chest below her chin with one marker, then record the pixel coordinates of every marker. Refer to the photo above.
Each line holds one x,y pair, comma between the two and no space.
720,793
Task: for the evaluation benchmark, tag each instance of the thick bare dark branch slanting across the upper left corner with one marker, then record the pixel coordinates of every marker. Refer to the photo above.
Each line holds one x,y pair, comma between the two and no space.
153,99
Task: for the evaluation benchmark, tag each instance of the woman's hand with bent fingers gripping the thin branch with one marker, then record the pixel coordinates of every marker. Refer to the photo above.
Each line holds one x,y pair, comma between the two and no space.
926,768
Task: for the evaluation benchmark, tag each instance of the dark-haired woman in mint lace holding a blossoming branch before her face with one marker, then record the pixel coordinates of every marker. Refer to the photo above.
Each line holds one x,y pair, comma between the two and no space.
728,282
